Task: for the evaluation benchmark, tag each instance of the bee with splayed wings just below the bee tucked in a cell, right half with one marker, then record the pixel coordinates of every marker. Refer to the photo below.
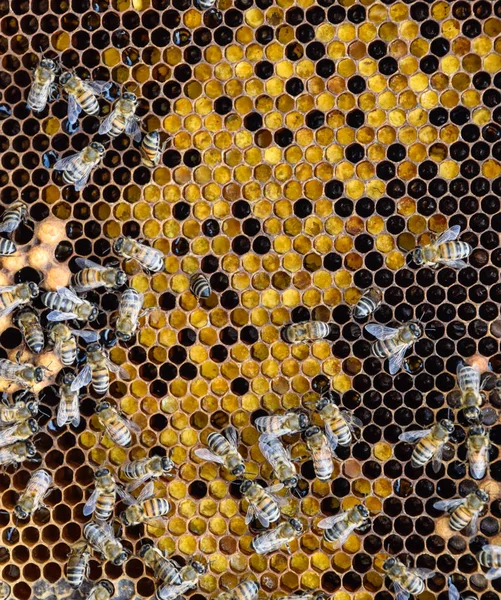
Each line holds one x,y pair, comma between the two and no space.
393,343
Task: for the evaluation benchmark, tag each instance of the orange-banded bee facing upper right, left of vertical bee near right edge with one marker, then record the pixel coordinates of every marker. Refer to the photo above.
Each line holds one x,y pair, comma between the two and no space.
431,443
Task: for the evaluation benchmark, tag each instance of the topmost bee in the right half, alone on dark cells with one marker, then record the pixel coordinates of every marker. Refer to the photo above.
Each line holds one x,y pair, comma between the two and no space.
445,250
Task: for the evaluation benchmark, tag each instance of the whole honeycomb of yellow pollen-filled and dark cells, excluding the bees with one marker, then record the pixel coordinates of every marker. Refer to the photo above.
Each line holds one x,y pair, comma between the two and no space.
313,145
